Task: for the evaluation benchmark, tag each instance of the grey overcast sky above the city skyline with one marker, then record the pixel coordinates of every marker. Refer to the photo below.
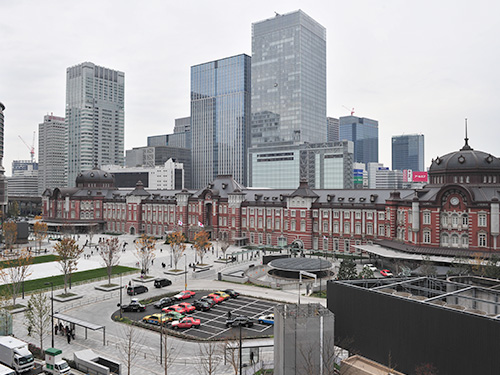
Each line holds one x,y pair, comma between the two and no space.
415,66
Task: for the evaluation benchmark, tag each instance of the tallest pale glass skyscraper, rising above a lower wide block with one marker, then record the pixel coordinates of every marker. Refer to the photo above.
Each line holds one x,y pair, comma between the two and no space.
288,80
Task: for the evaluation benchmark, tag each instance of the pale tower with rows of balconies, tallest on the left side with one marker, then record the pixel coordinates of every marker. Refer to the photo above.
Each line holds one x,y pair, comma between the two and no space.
95,117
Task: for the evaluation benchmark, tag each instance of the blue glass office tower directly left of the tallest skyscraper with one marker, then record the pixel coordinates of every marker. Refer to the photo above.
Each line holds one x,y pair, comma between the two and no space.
220,119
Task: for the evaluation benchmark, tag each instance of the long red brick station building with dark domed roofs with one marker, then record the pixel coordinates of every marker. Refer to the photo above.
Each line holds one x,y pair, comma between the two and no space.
457,213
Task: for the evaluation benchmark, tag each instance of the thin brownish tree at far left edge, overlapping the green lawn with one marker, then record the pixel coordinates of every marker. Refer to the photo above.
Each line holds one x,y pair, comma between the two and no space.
16,270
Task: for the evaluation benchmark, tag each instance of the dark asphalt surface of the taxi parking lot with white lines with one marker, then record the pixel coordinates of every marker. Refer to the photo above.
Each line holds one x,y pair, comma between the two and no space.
213,322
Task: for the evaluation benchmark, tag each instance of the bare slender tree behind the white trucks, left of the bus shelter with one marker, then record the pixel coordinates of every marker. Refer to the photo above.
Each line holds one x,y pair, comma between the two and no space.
37,316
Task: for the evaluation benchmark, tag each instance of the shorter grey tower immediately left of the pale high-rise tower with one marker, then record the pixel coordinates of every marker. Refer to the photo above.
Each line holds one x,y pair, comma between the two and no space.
52,153
